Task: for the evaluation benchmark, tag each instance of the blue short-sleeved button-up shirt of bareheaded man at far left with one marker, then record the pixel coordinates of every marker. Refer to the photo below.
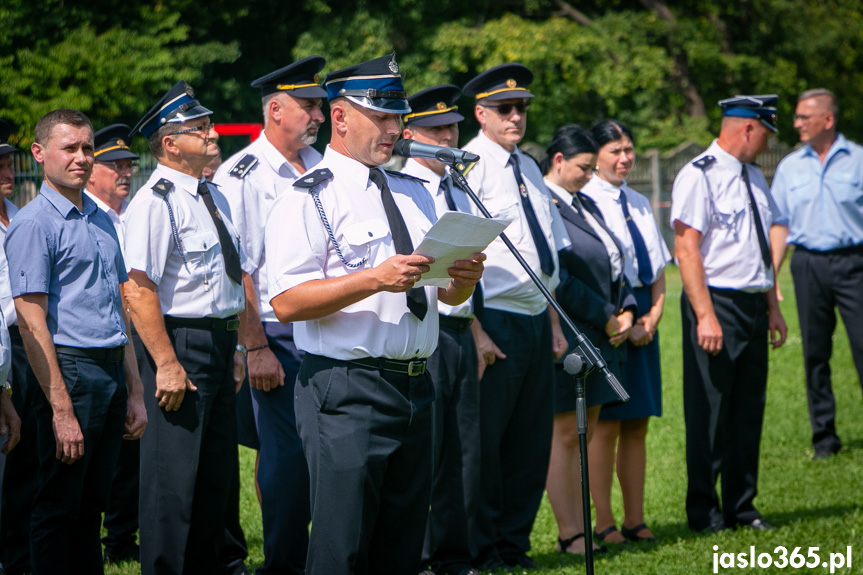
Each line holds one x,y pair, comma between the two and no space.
74,257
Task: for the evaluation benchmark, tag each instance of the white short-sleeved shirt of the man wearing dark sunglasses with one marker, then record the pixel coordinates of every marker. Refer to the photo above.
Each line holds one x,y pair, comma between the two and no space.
506,286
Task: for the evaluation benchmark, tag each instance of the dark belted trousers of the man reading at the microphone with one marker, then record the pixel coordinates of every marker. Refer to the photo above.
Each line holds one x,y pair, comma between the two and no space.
367,438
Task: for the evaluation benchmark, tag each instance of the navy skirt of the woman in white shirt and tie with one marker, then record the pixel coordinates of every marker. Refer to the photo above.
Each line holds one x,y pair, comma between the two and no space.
643,374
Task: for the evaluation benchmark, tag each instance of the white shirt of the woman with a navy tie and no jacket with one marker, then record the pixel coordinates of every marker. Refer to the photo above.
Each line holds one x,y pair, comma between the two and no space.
607,198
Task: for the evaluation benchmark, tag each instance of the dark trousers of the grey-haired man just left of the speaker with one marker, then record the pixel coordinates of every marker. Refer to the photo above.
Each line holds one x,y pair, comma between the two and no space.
283,475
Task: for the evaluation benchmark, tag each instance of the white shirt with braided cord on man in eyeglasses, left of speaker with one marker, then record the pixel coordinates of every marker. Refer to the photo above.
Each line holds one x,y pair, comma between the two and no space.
200,287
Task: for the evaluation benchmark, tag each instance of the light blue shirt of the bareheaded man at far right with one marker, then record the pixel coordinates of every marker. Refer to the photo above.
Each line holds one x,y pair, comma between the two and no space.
822,204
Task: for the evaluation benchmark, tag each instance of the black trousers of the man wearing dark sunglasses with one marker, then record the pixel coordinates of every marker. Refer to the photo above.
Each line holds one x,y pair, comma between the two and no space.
516,418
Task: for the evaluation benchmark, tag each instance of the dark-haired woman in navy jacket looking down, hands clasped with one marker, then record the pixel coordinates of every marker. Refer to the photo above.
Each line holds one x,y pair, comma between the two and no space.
593,291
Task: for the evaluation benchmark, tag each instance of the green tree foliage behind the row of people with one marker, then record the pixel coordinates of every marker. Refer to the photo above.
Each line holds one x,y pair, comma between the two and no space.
659,66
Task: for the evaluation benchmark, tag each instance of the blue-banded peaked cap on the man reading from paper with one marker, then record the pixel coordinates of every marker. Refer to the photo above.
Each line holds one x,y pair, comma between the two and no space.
375,84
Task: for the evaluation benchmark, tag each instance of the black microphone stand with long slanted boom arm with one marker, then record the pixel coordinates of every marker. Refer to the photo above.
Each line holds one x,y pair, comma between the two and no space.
581,361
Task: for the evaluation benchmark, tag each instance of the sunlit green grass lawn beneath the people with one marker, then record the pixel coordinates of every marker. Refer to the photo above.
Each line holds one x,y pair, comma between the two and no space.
812,503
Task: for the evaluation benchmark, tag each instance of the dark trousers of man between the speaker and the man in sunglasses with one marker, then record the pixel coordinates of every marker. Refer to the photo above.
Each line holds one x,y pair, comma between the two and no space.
449,543
